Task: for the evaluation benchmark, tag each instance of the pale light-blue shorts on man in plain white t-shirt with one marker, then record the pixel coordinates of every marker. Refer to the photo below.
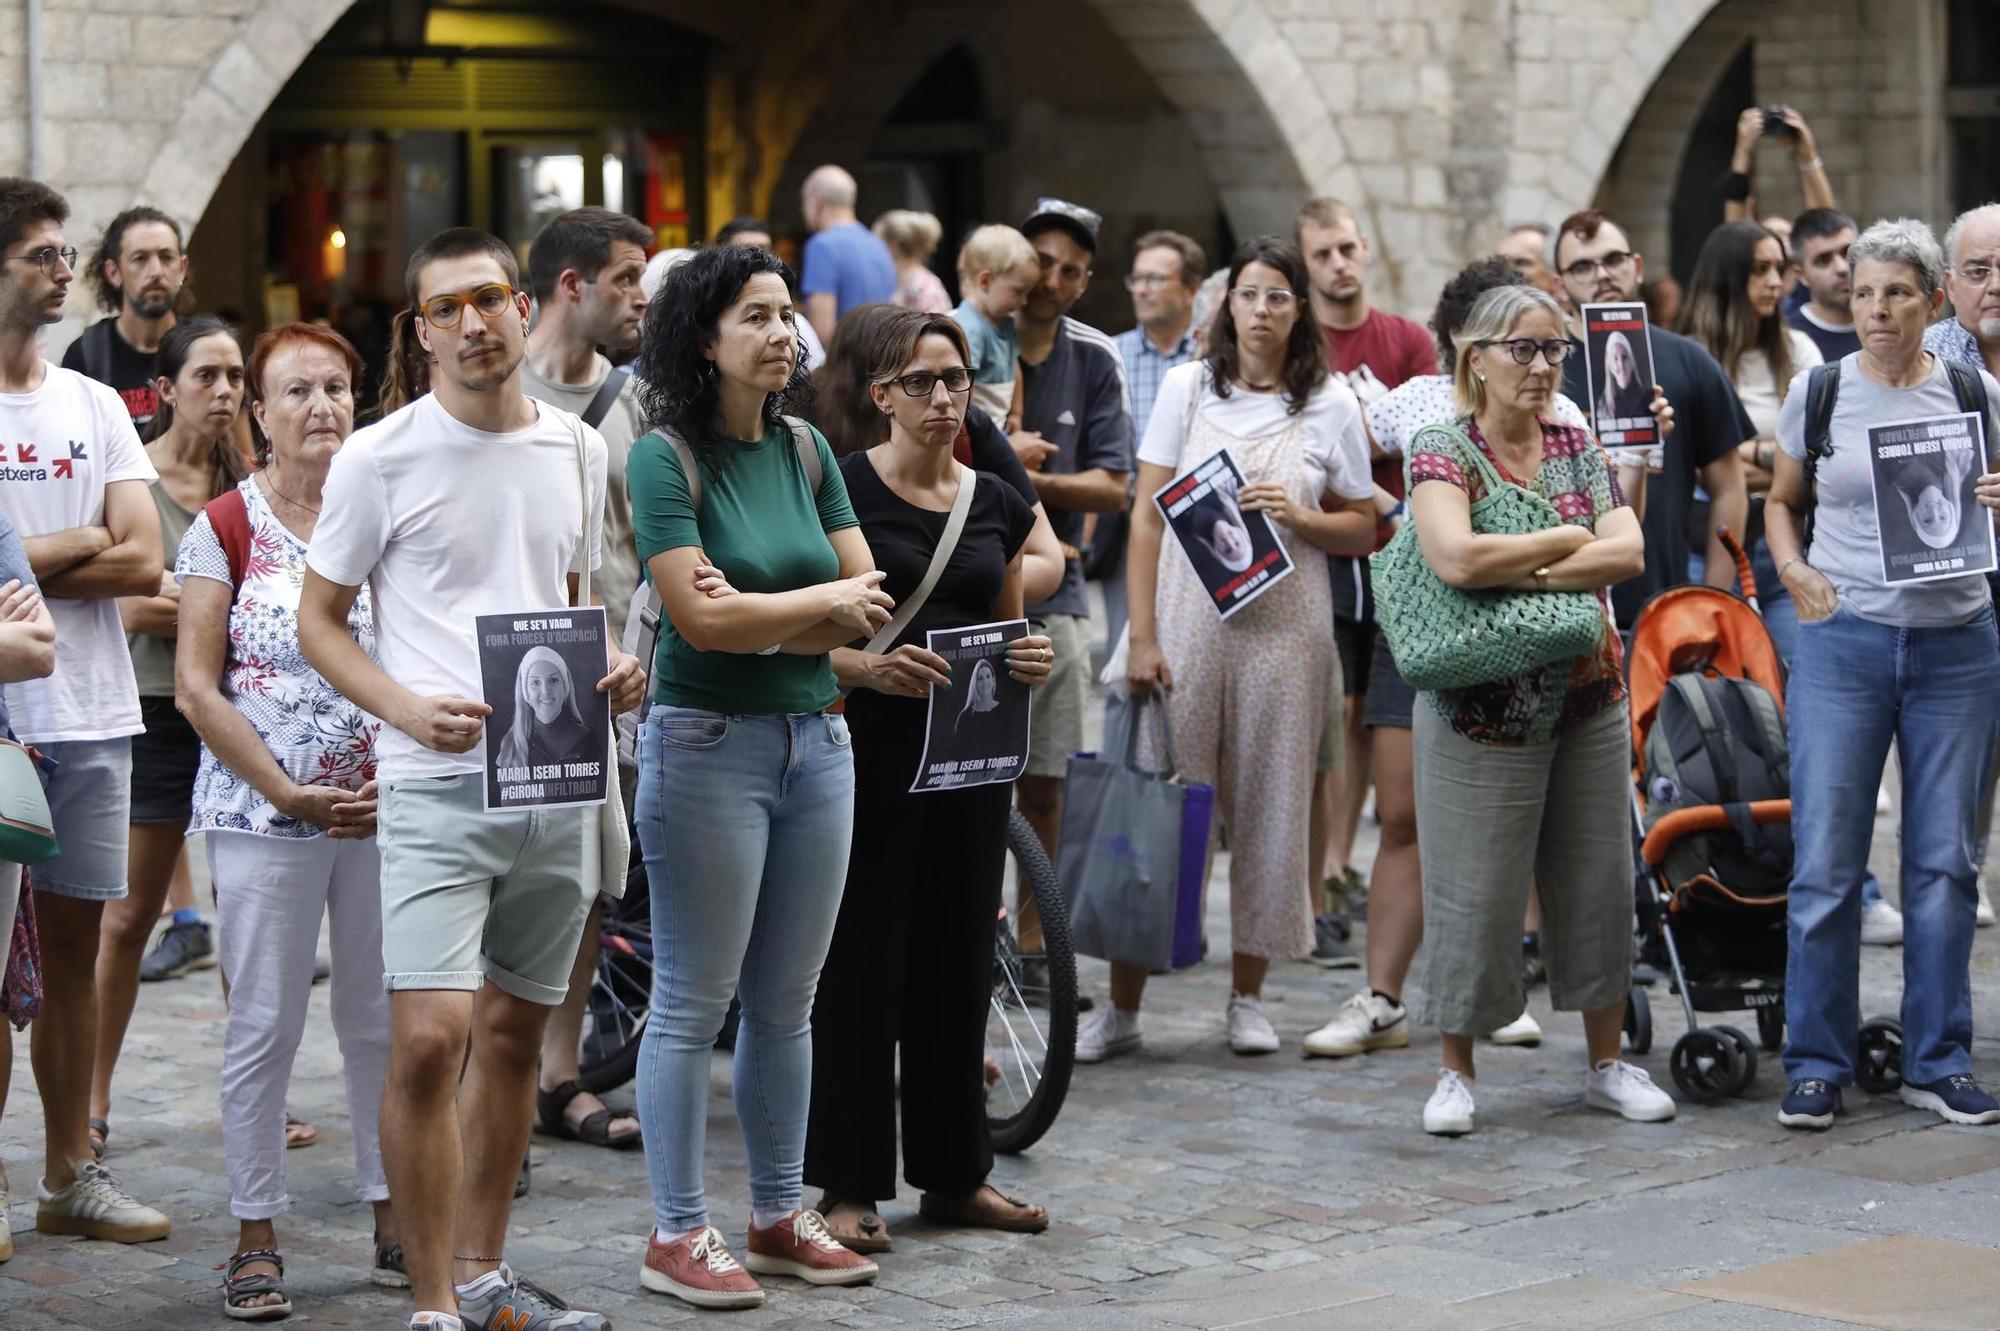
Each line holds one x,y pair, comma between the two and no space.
473,896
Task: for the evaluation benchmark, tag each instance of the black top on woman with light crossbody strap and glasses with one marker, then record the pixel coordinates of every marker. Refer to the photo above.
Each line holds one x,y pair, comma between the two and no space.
905,537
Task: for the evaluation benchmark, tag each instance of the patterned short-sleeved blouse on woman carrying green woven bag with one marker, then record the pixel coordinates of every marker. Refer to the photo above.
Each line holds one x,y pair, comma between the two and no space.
1535,708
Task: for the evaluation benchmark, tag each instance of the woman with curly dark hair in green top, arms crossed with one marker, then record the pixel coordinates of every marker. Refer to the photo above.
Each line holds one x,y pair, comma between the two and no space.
745,776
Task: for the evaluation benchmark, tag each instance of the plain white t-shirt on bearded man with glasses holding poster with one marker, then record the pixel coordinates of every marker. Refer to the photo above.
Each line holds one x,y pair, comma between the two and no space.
449,523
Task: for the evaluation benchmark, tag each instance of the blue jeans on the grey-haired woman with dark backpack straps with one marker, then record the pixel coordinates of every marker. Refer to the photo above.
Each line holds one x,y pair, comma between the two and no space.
1857,688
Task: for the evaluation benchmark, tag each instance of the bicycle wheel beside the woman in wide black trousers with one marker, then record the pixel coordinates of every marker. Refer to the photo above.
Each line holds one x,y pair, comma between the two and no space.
1031,1034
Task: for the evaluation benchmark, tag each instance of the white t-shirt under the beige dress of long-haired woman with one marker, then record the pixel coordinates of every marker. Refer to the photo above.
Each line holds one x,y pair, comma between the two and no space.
1337,447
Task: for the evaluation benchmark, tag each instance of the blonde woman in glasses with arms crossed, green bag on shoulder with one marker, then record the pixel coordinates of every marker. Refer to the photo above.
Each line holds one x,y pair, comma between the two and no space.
1525,778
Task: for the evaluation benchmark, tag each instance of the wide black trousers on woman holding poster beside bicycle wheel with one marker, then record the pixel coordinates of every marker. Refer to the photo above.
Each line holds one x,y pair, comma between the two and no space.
911,964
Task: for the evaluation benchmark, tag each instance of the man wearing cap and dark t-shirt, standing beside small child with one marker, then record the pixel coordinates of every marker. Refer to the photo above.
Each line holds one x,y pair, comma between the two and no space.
1077,445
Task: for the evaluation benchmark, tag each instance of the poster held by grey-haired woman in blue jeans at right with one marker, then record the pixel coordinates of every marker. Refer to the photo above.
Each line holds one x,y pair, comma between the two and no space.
1925,473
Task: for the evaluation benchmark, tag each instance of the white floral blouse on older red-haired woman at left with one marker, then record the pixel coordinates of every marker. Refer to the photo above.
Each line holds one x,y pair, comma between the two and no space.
317,736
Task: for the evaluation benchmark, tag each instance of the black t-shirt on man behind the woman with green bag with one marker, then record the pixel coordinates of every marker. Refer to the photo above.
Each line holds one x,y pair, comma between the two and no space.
1709,423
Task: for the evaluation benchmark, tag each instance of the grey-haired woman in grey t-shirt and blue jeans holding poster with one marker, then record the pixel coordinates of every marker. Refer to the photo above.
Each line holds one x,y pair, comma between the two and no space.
1893,647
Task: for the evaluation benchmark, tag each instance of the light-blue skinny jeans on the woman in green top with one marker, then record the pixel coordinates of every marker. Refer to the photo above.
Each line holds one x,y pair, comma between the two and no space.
745,824
